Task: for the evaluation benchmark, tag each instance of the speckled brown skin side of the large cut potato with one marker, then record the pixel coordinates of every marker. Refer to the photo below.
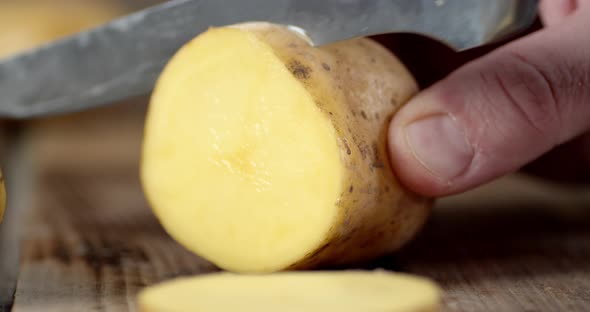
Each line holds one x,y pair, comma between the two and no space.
359,85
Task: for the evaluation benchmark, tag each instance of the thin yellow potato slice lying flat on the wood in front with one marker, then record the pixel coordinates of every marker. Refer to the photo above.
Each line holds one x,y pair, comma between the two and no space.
301,291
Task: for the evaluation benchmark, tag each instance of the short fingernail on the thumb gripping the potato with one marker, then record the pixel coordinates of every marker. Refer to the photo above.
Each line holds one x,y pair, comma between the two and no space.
440,145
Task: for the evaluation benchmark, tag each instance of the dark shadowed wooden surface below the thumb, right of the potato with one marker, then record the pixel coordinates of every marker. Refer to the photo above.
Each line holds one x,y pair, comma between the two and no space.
514,245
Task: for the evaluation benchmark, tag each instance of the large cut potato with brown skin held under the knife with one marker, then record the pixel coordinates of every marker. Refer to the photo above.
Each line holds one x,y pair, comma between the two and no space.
262,153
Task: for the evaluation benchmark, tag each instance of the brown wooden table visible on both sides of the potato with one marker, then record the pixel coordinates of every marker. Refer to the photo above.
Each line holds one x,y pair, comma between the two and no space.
85,239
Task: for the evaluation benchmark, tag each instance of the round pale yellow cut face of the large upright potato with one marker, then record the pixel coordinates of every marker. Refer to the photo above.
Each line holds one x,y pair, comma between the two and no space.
244,164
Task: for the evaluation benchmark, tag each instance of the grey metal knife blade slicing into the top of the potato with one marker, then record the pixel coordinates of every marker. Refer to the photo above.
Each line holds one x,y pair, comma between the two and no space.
123,58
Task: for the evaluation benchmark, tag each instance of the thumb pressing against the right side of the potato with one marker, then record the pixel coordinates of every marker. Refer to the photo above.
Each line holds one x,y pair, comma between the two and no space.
497,113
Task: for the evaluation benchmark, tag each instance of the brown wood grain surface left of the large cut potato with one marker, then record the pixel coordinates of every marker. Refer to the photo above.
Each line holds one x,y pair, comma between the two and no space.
90,241
